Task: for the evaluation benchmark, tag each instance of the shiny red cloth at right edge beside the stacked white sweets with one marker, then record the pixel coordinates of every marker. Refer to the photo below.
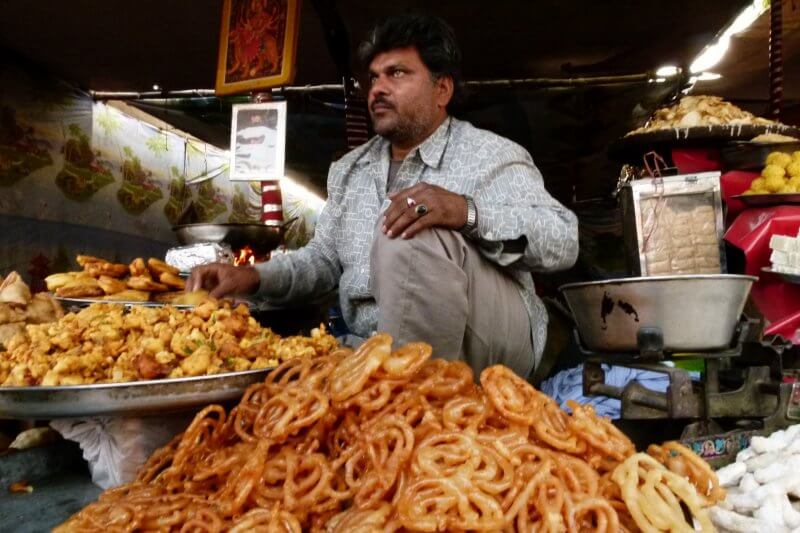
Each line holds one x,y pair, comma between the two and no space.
777,300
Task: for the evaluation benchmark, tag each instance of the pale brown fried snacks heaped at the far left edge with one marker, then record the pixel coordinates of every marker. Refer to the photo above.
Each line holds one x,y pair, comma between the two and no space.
19,308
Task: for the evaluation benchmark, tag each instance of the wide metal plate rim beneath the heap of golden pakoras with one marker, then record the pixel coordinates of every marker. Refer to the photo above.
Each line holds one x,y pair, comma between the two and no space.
136,398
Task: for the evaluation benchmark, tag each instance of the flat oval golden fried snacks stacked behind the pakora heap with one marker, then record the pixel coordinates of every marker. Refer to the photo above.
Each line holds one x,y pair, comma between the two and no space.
138,282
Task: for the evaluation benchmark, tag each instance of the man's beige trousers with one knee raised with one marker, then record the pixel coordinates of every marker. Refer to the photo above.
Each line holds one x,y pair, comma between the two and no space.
438,288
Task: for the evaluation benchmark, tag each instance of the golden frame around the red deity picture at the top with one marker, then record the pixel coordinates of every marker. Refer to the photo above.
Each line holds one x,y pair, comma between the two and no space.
287,72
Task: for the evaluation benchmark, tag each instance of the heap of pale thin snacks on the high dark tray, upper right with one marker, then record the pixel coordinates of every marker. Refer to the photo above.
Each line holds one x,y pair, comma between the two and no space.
693,111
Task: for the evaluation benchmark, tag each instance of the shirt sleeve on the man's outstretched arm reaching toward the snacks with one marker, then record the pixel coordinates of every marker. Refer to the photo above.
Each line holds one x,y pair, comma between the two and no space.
310,272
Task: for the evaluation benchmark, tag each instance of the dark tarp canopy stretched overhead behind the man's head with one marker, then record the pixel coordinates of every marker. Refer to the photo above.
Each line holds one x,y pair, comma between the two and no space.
119,45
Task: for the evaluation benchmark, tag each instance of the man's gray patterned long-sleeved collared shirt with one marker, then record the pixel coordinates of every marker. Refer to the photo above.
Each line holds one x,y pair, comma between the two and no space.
509,195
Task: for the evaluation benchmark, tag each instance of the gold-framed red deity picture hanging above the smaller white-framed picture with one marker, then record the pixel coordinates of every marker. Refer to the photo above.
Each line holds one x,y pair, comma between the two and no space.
257,45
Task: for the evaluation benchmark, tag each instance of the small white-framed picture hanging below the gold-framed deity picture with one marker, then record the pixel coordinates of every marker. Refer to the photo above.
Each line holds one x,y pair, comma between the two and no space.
258,141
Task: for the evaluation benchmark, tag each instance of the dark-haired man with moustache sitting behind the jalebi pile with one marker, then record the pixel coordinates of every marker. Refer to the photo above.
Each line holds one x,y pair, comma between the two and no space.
431,229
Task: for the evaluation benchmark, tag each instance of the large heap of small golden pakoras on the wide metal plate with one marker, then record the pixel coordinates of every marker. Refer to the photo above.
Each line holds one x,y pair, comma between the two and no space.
104,343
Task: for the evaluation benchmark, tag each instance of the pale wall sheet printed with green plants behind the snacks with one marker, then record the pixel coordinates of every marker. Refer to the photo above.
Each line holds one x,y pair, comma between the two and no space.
78,176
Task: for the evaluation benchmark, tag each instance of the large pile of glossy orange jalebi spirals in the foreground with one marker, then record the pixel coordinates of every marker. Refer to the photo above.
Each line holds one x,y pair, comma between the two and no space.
382,440
